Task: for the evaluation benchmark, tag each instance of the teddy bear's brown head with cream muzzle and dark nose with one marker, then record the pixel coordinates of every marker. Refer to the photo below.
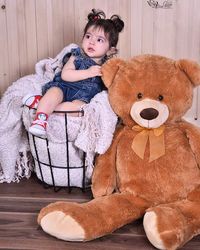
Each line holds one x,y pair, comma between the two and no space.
150,90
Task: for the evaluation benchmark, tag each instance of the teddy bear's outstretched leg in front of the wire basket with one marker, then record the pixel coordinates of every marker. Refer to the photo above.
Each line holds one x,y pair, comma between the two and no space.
81,222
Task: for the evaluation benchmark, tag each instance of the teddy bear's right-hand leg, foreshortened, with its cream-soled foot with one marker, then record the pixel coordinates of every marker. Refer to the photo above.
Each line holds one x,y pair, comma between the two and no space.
171,225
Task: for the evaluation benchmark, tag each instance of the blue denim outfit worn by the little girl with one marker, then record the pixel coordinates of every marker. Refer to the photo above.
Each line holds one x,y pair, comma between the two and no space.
83,90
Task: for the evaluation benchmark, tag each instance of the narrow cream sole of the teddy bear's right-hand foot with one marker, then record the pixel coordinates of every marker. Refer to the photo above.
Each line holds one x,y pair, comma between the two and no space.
150,227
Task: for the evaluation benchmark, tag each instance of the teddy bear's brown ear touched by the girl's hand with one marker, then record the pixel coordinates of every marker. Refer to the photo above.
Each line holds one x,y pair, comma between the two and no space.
110,69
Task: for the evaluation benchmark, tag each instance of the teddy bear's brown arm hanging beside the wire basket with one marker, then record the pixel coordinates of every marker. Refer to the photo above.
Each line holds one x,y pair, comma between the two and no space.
104,175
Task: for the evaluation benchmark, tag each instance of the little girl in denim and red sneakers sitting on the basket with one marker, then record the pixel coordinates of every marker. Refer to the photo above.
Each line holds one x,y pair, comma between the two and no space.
80,79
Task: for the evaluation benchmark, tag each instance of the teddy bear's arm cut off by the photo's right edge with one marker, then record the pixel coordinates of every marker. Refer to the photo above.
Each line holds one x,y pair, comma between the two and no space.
193,134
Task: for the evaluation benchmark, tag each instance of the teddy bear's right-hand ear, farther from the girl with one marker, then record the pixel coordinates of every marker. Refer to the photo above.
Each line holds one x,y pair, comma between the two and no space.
191,69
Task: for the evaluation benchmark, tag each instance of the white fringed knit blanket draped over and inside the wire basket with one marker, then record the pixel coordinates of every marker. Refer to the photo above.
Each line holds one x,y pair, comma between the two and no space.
92,133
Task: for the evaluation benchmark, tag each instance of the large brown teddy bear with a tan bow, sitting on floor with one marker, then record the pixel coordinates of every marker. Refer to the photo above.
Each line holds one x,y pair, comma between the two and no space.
152,167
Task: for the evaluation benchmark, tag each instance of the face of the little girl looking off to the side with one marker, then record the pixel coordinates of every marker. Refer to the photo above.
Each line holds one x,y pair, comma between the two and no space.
95,44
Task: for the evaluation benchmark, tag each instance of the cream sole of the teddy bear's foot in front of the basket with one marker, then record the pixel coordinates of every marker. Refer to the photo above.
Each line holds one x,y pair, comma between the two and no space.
62,226
